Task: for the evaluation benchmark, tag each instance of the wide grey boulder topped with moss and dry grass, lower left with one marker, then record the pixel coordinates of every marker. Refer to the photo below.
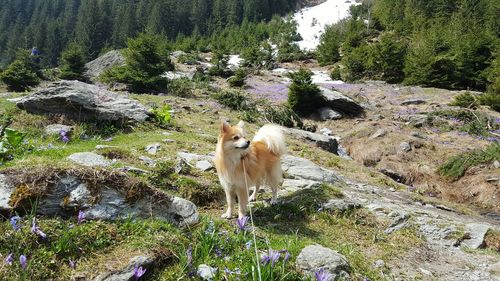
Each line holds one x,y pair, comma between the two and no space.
101,194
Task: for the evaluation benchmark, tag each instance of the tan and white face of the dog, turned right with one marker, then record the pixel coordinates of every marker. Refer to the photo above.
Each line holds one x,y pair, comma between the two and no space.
233,138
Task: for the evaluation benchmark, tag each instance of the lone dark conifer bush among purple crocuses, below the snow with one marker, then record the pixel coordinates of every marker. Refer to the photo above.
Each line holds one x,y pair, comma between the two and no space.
304,97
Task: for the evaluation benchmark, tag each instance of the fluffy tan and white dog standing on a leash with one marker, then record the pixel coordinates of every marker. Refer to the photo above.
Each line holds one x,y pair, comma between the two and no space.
259,159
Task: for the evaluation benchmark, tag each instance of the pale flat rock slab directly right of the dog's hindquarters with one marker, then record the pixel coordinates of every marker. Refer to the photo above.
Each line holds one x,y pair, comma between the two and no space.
300,168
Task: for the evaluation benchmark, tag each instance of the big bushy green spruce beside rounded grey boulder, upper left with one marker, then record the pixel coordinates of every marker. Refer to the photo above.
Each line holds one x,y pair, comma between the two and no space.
146,59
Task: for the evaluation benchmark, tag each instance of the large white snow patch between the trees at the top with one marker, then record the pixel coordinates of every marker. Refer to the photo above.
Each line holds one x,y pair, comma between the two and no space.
311,21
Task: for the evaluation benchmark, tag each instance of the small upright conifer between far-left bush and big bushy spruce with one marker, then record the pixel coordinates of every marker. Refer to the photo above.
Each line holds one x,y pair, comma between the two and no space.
72,63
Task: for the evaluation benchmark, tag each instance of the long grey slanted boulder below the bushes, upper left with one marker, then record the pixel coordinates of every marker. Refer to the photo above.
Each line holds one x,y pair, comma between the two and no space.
84,102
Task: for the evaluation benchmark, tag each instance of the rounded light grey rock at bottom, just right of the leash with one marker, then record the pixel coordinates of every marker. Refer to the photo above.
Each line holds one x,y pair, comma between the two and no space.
315,257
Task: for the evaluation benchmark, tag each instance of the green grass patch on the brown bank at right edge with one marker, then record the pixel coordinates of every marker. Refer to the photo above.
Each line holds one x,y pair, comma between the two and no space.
457,165
